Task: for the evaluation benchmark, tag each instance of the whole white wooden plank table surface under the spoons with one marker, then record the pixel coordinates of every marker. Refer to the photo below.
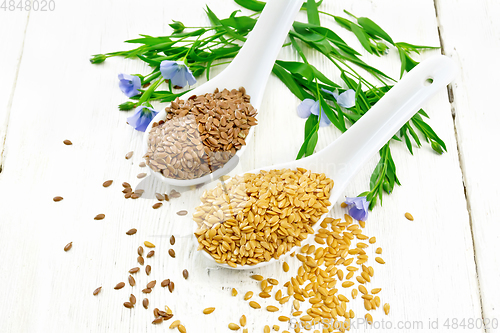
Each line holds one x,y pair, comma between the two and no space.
443,266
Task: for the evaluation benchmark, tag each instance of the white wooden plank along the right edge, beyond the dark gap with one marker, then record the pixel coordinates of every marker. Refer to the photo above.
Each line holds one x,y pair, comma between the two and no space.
475,46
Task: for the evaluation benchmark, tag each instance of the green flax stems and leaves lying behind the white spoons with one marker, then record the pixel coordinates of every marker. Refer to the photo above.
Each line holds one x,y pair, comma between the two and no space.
202,48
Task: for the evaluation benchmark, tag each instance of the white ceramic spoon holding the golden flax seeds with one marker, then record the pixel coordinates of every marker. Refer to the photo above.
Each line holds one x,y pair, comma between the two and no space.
342,159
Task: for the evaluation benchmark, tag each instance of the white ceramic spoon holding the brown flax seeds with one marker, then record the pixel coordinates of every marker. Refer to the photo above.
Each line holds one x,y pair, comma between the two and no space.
249,69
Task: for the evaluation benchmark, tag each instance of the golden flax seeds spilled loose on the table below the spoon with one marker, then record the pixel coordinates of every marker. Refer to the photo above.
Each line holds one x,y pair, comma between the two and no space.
335,258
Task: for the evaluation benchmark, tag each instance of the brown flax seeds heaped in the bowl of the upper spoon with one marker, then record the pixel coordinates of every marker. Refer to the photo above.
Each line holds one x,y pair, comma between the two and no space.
201,134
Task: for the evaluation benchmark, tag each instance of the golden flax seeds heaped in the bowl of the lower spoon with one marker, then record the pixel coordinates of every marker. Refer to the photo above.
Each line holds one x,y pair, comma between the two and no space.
256,217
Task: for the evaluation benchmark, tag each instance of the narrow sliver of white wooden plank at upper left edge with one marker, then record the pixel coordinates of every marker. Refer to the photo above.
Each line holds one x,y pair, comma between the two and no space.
13,26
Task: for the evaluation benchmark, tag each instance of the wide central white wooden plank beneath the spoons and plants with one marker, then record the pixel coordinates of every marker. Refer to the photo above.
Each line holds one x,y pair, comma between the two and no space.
422,280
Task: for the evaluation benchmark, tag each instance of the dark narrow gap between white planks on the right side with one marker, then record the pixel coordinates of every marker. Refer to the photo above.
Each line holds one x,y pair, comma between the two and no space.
461,164
